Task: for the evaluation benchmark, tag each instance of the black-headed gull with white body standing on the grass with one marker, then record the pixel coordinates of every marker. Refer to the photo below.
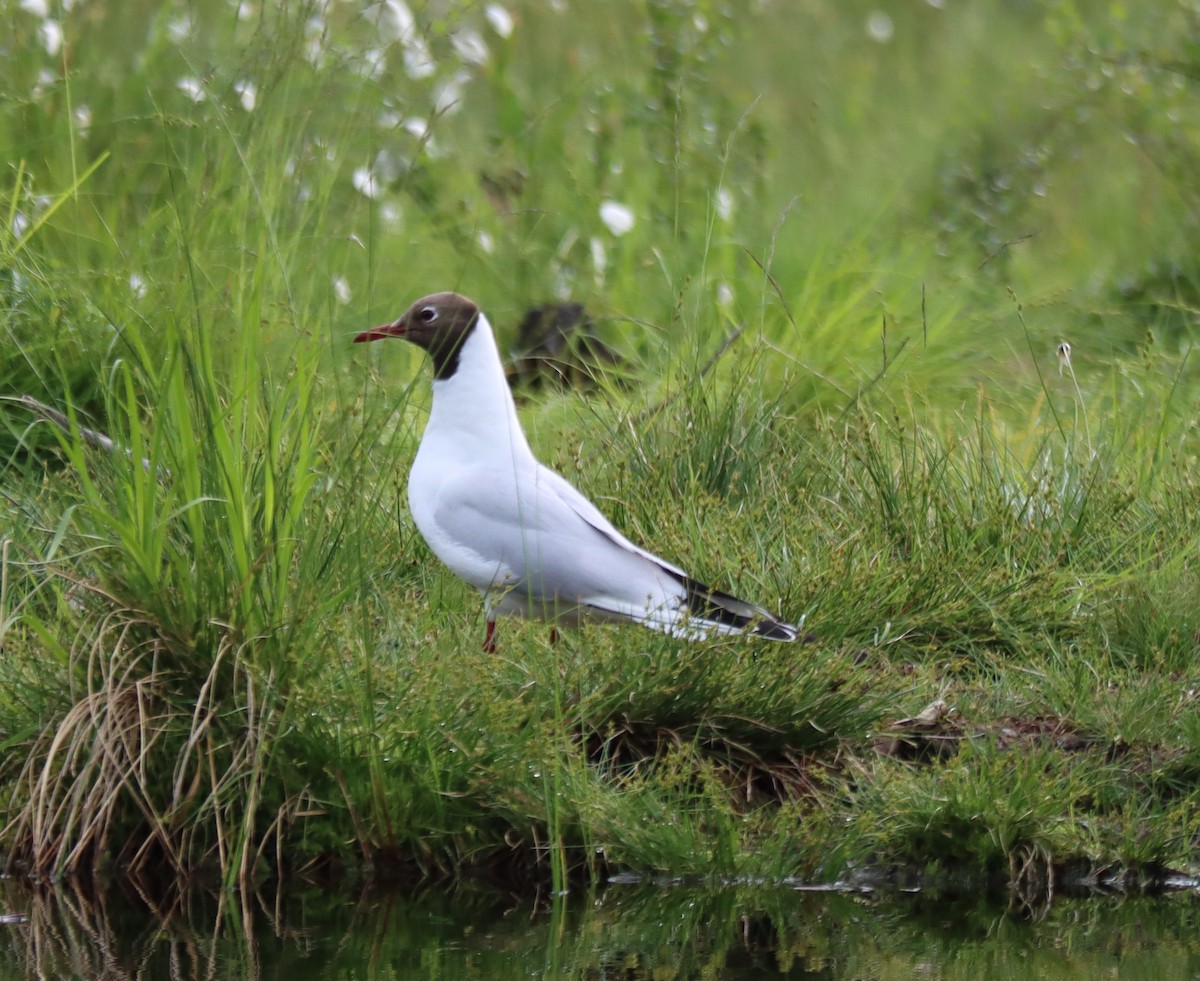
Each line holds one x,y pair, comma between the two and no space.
517,532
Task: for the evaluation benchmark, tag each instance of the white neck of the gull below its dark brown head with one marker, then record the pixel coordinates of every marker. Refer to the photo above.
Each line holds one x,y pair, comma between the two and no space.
475,406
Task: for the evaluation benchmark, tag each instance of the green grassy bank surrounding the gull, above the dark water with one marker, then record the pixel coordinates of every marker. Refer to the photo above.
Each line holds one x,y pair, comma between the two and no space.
857,240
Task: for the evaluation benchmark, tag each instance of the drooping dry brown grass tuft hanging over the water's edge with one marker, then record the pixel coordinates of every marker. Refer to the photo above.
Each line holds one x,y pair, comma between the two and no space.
94,787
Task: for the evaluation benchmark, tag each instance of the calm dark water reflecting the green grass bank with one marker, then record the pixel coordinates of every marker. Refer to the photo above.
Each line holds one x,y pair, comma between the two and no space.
625,932
